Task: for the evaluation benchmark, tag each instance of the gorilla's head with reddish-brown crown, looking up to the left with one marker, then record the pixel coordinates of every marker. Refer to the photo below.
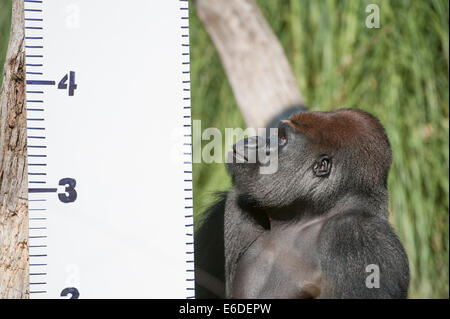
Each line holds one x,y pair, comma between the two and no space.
321,155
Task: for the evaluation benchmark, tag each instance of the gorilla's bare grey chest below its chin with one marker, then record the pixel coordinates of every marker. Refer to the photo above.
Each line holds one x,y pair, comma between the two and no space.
280,263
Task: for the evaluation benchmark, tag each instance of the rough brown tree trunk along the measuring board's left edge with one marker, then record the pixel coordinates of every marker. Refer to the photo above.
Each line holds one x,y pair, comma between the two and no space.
13,166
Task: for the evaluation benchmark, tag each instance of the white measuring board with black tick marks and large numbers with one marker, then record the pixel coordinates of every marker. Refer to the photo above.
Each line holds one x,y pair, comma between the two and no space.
109,149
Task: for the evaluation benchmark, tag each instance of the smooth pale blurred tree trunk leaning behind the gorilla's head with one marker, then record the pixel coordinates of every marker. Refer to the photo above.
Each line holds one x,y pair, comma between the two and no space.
254,61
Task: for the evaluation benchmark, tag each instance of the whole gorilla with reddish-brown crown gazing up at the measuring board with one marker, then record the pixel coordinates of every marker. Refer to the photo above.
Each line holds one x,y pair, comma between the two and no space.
313,229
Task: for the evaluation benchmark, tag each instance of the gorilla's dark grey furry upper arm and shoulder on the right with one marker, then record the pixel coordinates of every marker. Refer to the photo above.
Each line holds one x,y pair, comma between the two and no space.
351,241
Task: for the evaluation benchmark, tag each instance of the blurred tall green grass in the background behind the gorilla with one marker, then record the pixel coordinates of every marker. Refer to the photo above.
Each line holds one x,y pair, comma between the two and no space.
399,72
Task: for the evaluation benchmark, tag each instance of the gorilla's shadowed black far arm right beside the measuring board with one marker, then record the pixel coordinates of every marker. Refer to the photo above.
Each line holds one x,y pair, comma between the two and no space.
210,252
